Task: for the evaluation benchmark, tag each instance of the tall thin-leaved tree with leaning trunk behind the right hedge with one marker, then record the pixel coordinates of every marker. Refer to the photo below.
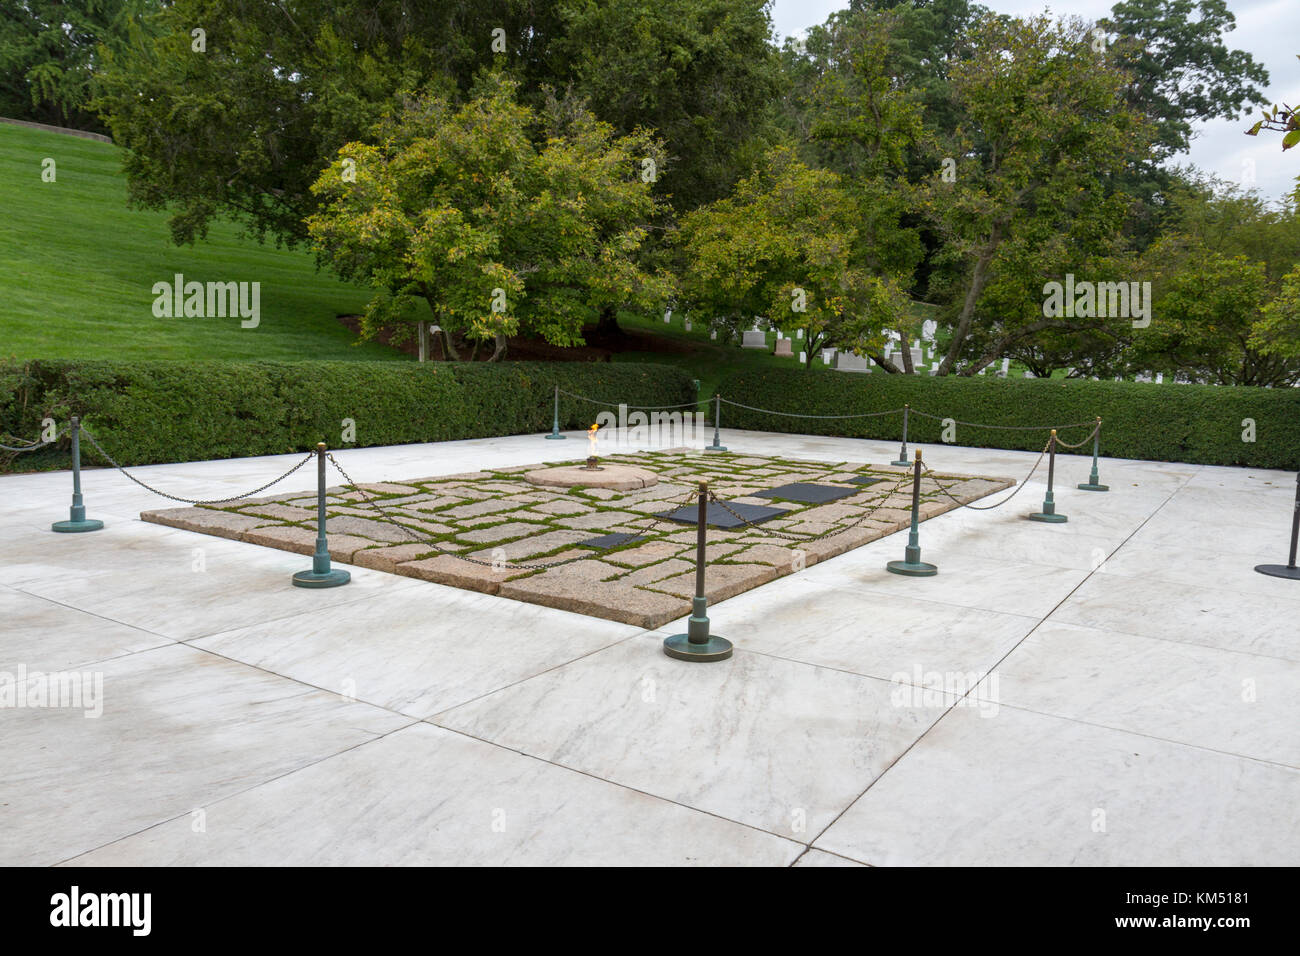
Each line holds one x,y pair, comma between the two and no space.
1045,124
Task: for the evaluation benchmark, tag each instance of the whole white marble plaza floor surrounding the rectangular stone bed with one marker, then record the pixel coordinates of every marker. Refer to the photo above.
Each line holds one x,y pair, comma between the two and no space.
1119,690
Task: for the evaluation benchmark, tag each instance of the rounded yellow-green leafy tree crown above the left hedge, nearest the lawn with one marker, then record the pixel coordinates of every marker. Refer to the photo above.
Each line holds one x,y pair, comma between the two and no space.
505,220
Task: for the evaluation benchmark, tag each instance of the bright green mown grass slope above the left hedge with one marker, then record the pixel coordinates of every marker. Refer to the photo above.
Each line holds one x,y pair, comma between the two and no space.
77,270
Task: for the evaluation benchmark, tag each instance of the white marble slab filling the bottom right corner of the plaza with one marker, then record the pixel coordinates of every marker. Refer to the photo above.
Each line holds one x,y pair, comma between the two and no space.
1029,790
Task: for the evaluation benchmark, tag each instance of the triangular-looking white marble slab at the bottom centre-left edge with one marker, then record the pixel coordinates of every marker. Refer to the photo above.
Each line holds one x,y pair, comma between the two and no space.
426,797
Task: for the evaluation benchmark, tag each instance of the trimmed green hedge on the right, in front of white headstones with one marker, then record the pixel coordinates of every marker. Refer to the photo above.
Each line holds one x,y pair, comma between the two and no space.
1163,423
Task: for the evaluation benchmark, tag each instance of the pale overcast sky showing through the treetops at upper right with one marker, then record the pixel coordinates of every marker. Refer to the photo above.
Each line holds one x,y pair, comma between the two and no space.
1267,29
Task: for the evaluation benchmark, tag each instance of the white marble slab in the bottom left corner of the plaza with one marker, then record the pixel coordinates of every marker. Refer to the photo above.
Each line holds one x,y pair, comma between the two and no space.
180,729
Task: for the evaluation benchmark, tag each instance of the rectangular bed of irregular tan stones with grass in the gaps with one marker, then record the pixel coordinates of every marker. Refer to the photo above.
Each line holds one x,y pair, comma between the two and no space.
496,517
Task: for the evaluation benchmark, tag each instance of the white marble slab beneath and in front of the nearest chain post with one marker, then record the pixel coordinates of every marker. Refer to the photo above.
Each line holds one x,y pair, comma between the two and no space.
774,745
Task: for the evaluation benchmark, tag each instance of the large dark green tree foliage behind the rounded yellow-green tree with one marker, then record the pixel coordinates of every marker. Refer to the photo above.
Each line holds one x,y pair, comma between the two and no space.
245,127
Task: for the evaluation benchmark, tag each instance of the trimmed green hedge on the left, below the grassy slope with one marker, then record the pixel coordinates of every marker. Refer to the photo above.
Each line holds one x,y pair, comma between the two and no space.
177,412
